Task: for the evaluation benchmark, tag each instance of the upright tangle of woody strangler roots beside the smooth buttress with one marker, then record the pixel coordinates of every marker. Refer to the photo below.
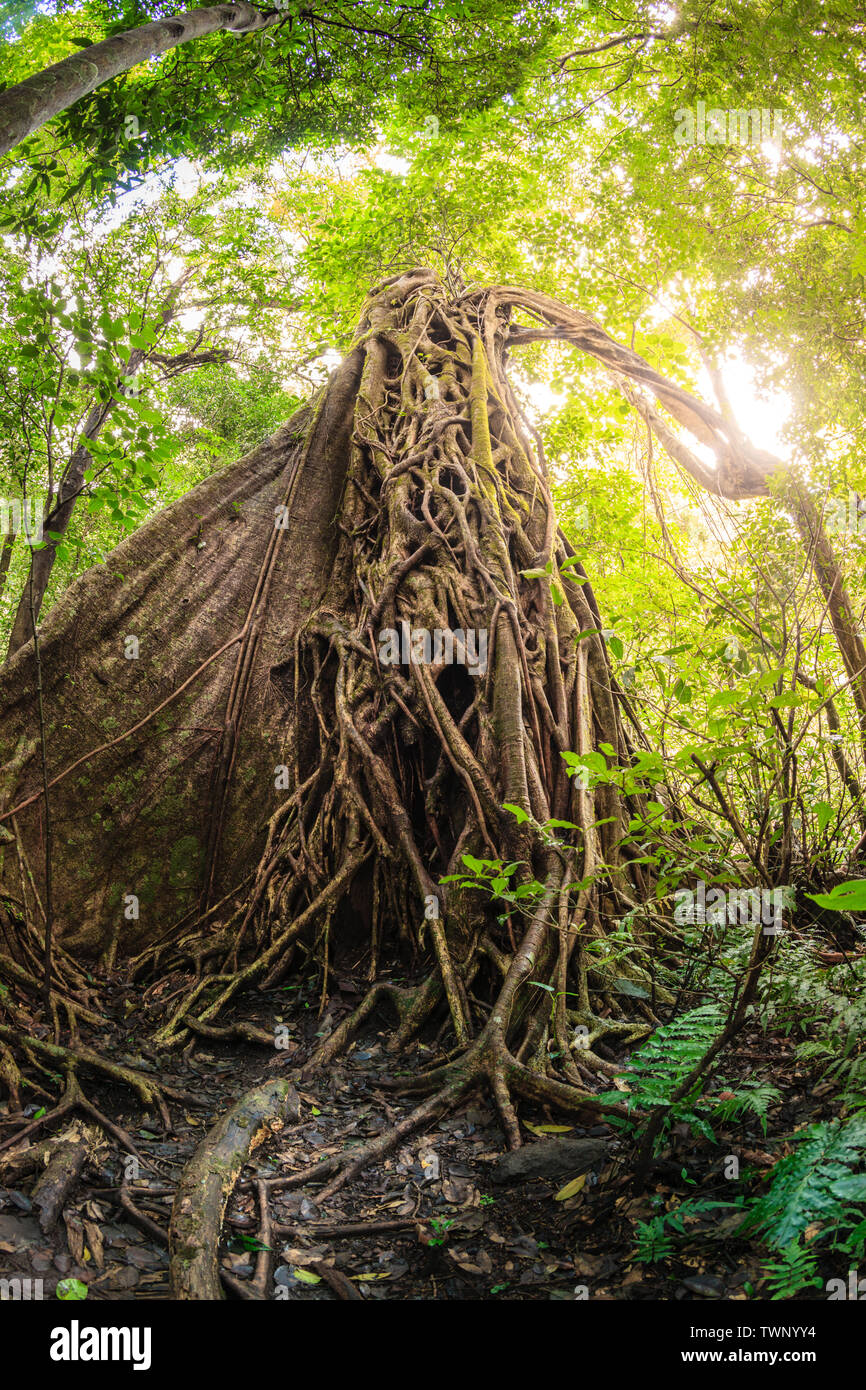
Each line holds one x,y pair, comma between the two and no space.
408,757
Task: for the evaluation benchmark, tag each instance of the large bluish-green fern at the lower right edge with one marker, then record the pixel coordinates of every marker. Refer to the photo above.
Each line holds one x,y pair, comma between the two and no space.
815,1184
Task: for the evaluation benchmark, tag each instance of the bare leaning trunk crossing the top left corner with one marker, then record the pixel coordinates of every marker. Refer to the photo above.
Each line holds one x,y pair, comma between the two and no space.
31,104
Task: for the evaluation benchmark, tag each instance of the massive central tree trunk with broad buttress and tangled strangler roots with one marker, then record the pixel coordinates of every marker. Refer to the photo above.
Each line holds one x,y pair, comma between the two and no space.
362,654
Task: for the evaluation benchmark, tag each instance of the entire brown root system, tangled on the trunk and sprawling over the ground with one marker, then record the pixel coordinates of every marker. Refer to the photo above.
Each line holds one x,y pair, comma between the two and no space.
402,758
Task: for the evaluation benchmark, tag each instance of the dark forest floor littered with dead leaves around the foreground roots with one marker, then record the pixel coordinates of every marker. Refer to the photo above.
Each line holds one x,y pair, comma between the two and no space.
441,1223
